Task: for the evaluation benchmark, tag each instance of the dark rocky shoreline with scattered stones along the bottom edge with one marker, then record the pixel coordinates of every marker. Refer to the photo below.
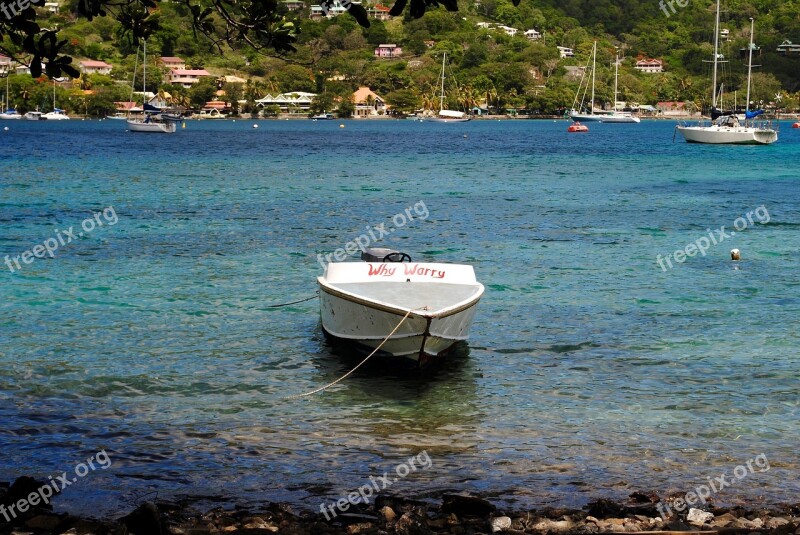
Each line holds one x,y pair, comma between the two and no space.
455,514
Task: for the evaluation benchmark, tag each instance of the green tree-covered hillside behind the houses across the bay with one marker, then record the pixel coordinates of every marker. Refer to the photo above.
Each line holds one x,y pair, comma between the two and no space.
491,69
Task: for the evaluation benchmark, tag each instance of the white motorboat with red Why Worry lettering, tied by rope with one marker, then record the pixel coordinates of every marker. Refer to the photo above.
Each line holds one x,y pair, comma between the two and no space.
362,302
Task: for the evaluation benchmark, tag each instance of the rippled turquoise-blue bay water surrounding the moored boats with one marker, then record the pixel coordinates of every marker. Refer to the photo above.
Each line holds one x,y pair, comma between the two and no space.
591,371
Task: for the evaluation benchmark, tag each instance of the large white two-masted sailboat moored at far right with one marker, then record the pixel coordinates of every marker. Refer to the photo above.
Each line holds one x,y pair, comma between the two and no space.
726,128
